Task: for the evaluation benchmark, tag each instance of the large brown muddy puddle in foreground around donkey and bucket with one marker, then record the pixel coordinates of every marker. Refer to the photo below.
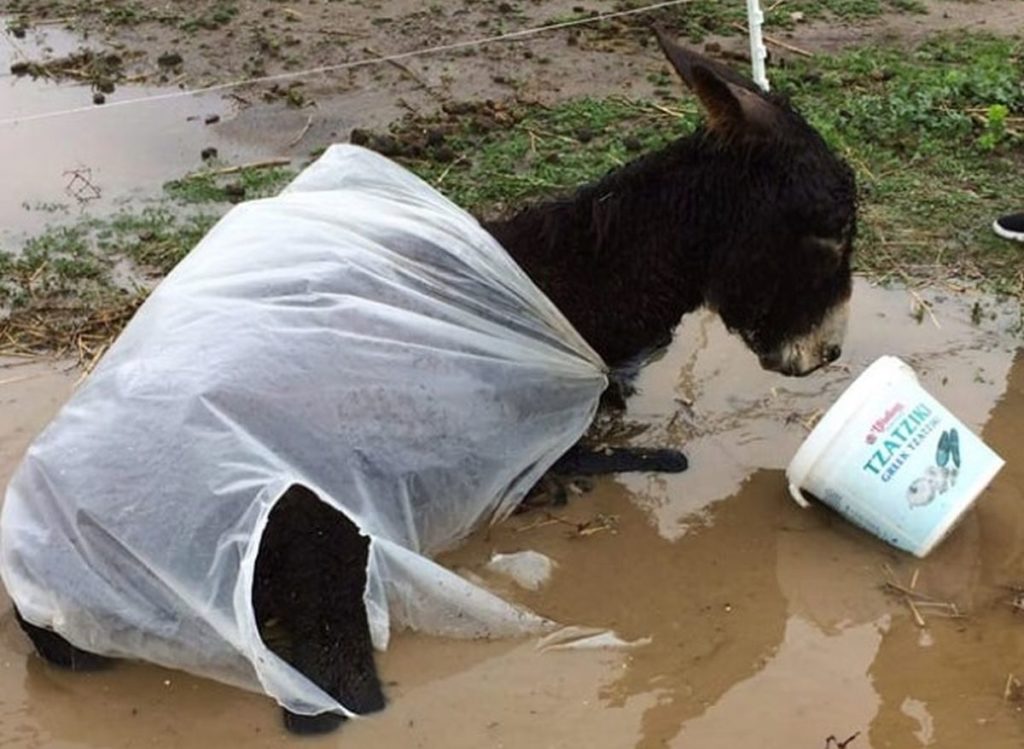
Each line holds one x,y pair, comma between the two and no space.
756,623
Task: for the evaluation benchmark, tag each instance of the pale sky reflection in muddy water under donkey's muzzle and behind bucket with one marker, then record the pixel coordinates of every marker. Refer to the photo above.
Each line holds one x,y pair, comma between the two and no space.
710,396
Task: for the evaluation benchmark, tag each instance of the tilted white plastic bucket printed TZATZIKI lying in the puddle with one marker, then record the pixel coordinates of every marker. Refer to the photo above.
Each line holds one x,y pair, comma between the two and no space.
893,461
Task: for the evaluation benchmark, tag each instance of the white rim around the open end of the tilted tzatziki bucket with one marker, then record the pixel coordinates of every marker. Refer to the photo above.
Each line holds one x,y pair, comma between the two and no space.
836,420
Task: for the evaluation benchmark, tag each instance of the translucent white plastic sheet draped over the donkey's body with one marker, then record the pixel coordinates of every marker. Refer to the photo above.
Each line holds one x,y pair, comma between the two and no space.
359,335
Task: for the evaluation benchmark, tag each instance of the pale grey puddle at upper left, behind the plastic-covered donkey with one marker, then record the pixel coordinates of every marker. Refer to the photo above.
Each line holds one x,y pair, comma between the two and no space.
93,161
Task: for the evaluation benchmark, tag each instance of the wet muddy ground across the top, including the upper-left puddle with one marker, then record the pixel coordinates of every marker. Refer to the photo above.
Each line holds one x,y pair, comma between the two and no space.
89,164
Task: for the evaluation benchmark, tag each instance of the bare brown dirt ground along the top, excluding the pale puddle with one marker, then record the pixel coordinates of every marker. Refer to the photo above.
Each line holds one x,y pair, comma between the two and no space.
271,38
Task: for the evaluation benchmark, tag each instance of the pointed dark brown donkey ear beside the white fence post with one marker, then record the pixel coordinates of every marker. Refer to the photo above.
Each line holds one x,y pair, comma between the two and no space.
735,106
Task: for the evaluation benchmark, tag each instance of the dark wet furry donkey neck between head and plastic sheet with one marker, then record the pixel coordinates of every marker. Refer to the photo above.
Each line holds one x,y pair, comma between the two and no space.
619,258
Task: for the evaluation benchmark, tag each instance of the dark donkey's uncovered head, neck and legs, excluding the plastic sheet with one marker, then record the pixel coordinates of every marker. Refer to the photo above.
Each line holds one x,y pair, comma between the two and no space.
751,216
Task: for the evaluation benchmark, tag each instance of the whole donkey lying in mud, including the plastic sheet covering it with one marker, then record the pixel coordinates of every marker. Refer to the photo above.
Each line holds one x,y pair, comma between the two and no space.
342,381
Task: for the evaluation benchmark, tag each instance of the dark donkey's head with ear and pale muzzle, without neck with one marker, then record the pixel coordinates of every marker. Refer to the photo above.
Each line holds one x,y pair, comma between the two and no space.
779,215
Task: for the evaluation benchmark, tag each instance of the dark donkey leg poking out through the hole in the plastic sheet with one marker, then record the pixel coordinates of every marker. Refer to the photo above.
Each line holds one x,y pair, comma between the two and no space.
311,576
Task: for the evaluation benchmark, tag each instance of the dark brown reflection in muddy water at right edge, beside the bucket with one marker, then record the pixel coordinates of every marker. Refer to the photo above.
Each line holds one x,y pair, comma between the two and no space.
962,677
